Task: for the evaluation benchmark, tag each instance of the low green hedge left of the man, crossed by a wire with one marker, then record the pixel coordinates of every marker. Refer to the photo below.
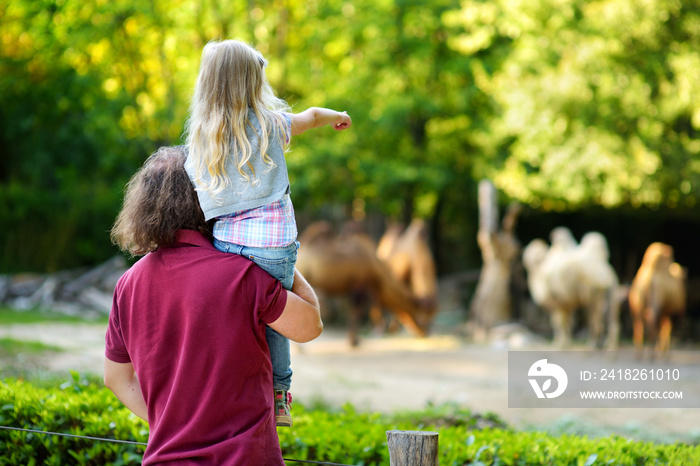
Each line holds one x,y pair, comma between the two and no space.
77,407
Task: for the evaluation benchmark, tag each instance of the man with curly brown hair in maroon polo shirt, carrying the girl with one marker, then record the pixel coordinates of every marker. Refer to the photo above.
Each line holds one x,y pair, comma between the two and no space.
185,346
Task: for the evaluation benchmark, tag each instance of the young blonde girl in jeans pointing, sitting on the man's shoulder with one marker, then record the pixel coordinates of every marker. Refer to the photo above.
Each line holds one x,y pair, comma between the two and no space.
237,133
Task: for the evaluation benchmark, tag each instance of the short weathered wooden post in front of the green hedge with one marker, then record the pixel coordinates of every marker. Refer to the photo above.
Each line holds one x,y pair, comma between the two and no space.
412,448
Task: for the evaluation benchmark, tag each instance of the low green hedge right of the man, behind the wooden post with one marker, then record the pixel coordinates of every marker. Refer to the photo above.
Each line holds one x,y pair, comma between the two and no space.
350,437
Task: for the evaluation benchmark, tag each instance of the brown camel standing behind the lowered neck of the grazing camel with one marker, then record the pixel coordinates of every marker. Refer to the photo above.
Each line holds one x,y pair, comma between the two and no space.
408,257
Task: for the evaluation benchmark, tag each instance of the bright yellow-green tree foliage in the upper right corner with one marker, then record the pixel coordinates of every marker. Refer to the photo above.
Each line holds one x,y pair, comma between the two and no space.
598,100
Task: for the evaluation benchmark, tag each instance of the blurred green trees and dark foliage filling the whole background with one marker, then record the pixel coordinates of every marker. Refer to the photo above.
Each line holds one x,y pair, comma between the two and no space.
585,113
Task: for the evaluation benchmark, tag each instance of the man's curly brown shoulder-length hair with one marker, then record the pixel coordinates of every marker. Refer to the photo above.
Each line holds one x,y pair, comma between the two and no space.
159,201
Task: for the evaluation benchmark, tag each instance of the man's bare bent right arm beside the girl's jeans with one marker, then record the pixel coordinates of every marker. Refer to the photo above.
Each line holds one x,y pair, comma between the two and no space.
301,318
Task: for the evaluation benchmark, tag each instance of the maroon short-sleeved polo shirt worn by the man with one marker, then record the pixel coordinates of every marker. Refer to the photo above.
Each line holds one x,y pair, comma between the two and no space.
192,321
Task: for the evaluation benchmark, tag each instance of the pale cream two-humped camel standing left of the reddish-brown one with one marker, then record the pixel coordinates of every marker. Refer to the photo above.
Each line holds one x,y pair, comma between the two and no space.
566,277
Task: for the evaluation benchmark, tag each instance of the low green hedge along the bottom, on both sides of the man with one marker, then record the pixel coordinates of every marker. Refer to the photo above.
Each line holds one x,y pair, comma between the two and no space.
86,408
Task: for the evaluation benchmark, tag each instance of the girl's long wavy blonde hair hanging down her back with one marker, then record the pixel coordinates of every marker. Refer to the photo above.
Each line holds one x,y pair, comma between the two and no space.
231,81
